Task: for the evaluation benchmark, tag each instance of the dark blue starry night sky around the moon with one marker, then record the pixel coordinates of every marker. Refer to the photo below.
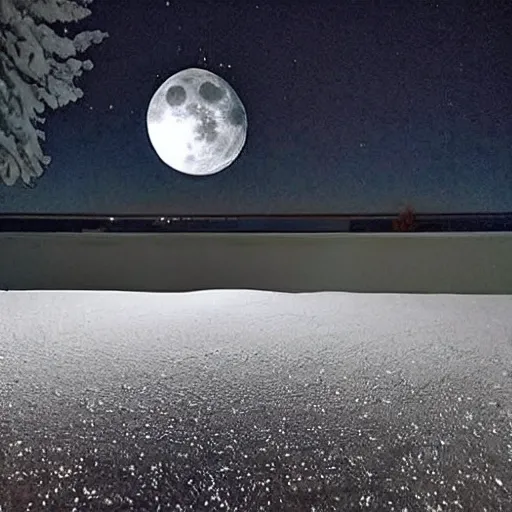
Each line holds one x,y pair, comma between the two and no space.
352,107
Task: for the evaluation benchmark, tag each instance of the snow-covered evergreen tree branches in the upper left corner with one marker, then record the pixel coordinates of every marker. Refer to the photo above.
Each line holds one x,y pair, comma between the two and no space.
37,70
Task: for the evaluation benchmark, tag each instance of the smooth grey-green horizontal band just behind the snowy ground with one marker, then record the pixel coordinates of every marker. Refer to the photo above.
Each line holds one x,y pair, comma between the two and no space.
410,262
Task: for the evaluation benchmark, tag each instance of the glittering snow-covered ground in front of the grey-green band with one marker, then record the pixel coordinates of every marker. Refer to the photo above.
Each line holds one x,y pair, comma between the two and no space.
250,400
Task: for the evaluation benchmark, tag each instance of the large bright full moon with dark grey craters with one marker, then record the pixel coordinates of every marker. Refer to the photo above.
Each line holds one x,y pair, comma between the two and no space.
196,122
